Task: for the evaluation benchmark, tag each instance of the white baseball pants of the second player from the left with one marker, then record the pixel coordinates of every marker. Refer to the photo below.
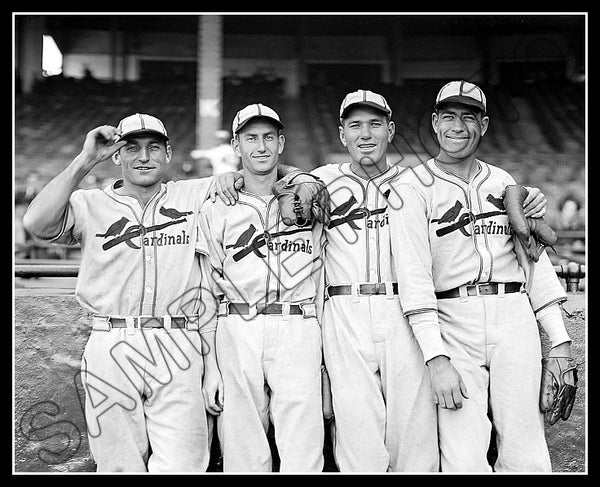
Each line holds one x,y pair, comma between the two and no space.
271,369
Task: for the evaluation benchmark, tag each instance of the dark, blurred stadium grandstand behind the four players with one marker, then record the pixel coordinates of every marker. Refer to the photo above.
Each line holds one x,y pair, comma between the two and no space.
302,65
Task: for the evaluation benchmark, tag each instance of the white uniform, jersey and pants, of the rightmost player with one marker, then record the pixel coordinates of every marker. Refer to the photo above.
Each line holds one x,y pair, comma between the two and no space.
447,233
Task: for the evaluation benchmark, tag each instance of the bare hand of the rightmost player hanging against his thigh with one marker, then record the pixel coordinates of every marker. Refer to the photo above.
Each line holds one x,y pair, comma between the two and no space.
446,383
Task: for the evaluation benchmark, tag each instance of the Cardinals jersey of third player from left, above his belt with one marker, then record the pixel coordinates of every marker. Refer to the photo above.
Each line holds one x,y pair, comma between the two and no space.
358,249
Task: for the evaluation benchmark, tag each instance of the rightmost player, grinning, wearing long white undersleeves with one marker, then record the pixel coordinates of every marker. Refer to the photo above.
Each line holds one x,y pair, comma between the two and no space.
472,306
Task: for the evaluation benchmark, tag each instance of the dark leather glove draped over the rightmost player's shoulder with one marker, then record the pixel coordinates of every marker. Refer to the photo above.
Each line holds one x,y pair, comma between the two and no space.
531,235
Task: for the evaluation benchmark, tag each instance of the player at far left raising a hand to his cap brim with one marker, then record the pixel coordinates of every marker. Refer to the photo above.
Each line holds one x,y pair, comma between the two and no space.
139,279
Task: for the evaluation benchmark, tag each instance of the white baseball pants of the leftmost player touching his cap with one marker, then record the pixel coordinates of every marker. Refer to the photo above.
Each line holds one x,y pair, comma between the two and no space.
143,404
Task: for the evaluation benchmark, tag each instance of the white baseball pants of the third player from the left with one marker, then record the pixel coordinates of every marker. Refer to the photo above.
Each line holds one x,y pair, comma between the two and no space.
385,417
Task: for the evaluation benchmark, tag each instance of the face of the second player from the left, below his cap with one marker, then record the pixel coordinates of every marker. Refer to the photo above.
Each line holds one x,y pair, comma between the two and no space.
259,144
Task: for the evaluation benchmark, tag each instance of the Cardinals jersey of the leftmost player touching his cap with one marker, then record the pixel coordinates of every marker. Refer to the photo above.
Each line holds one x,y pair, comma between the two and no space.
137,260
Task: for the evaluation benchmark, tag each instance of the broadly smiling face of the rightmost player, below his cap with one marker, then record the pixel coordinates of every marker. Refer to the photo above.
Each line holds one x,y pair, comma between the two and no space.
459,129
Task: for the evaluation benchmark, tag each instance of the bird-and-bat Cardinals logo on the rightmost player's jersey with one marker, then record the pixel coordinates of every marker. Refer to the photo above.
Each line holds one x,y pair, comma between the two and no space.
456,220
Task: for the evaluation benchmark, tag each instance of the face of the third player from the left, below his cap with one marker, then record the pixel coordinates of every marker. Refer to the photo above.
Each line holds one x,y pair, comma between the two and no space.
366,133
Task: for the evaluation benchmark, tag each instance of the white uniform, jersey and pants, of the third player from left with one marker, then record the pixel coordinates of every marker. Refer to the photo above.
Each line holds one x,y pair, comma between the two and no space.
384,415
